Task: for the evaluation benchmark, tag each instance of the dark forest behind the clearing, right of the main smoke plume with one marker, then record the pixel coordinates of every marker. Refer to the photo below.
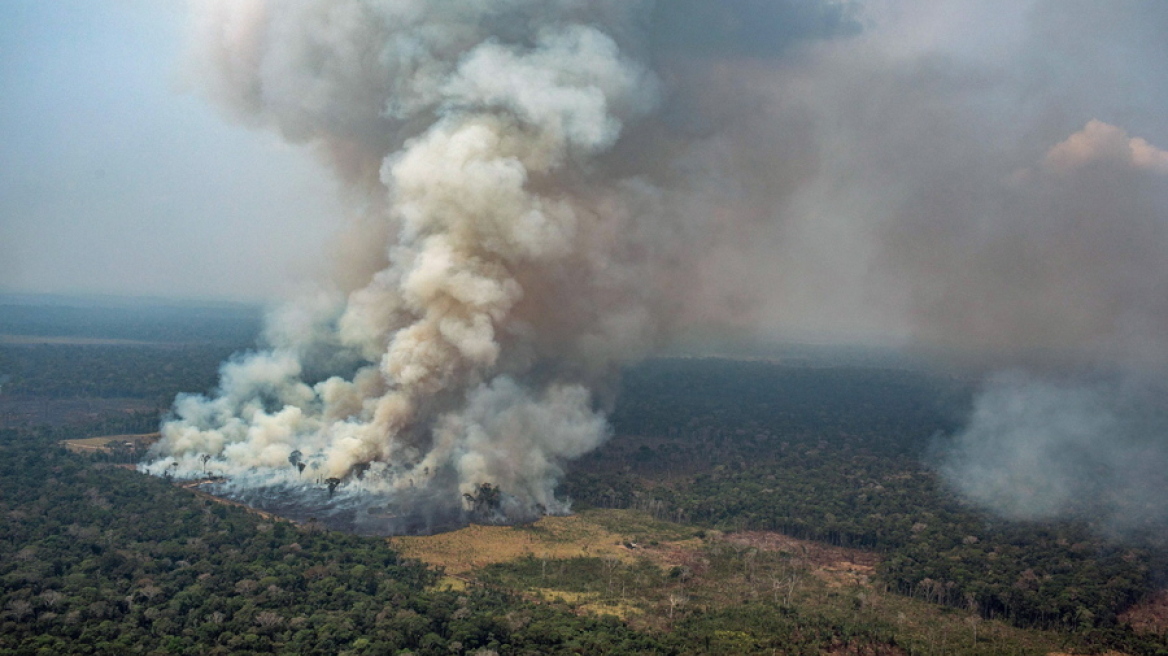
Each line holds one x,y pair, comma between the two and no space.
836,456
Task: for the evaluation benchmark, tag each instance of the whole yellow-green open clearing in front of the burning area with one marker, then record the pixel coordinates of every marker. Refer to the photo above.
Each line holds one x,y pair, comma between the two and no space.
753,587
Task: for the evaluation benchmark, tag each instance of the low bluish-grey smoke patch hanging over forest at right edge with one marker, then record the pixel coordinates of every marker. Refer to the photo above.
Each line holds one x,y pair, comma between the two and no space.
1041,450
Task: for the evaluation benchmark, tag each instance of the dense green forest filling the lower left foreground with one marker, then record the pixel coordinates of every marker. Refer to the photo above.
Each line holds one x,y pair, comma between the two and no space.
99,560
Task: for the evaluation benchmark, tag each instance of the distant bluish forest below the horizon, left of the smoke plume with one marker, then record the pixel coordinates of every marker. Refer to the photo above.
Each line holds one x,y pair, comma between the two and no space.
54,354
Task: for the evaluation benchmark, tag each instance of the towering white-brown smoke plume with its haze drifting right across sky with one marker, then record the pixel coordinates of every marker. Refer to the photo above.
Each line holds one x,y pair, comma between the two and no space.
543,192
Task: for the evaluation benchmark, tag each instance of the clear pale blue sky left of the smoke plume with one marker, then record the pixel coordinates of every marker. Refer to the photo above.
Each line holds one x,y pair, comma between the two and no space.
116,179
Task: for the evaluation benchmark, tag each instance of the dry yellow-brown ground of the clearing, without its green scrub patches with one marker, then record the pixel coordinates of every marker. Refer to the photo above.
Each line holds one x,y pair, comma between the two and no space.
764,568
